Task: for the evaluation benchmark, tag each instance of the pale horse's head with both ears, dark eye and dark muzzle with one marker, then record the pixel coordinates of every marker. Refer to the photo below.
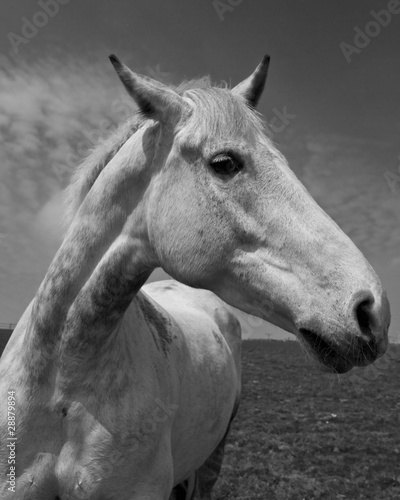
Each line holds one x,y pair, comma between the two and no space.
225,212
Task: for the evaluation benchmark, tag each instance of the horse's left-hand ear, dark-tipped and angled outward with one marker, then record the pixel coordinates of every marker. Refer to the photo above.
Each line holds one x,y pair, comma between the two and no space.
154,99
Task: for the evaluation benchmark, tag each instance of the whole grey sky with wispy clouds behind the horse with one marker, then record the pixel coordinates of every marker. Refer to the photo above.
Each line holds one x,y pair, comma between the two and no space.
334,75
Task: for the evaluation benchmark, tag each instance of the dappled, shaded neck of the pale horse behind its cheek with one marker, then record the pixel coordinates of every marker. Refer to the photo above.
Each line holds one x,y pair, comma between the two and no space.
96,273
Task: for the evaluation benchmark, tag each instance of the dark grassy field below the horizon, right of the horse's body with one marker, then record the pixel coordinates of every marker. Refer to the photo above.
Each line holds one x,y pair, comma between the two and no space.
301,434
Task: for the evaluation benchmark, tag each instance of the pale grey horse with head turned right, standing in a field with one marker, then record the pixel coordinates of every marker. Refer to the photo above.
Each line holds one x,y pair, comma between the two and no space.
125,391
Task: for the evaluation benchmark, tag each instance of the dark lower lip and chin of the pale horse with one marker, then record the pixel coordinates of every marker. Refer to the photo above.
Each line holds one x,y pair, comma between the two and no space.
325,353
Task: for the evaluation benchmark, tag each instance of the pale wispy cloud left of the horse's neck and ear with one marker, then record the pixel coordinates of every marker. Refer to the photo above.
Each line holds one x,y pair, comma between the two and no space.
51,114
